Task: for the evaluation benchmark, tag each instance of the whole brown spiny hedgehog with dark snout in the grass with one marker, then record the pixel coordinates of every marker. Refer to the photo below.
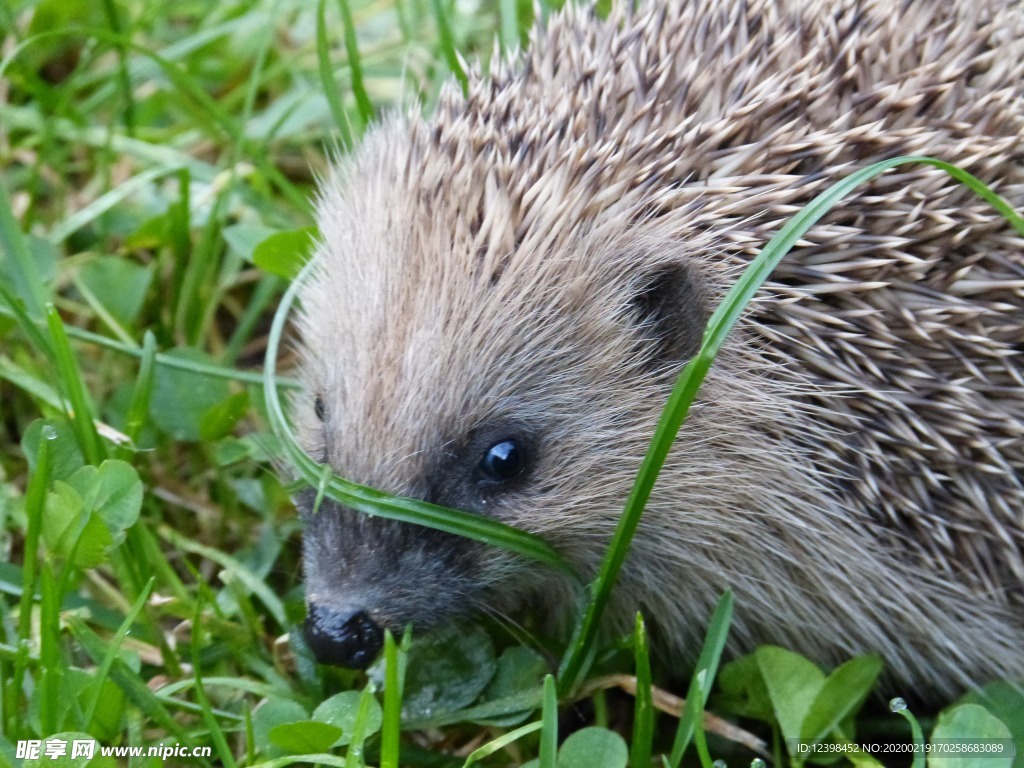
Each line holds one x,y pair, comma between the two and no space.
504,293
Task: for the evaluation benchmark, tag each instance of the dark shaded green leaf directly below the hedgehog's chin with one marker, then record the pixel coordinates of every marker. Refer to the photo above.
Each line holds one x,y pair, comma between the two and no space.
447,670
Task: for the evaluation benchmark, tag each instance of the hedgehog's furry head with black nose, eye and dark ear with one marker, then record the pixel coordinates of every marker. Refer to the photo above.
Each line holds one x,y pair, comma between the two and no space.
475,337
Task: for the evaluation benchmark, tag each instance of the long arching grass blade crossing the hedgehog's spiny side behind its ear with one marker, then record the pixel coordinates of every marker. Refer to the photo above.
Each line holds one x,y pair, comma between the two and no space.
684,394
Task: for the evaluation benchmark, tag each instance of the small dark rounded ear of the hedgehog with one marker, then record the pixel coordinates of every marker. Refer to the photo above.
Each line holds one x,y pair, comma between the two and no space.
671,311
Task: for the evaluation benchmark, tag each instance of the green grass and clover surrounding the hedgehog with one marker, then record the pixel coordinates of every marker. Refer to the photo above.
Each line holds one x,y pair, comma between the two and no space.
156,166
